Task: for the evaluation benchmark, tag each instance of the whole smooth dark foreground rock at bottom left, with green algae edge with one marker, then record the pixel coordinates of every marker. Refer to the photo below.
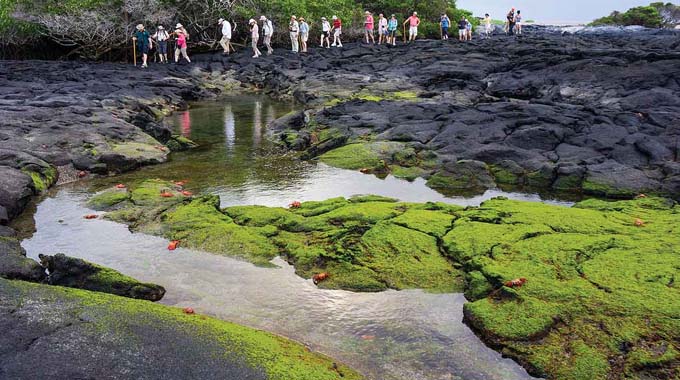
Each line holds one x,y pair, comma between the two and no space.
167,342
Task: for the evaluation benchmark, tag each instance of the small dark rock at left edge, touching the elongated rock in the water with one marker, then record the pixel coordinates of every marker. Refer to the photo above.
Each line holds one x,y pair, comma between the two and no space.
15,265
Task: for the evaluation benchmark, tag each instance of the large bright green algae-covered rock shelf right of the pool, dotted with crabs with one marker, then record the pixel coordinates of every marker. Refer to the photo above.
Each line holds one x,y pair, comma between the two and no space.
601,299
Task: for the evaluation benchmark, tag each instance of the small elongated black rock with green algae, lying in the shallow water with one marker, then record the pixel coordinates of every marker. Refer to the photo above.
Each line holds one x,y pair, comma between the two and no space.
77,273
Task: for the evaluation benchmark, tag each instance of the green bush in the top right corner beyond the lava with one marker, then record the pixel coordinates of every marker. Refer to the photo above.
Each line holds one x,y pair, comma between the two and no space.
655,15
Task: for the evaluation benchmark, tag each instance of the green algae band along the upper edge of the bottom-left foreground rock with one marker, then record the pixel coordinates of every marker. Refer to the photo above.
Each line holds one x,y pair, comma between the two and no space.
126,320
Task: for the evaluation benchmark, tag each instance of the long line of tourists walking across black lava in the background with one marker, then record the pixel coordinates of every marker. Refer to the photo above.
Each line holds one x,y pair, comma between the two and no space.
299,31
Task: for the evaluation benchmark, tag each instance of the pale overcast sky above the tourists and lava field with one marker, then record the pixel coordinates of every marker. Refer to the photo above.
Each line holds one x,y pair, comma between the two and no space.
566,11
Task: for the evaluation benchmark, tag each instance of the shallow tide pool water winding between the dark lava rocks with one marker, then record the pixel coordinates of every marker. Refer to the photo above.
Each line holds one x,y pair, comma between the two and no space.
388,335
